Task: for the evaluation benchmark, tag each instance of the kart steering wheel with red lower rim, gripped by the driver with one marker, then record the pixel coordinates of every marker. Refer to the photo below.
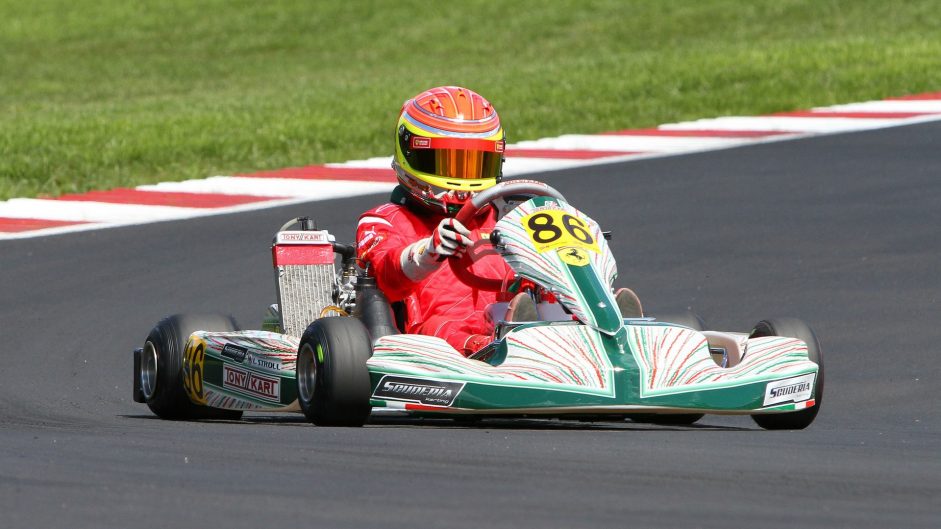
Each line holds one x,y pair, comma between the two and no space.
469,216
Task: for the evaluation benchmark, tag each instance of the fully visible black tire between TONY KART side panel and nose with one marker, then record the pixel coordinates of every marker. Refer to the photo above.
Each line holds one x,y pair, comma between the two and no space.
333,388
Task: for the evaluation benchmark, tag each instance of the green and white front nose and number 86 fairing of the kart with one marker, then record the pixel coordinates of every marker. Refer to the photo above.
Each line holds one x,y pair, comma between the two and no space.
597,363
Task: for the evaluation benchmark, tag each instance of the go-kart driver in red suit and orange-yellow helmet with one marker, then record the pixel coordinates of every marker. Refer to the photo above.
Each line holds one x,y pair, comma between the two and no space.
448,145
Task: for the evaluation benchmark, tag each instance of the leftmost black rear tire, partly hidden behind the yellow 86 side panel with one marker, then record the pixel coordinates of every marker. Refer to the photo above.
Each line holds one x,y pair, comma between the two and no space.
168,399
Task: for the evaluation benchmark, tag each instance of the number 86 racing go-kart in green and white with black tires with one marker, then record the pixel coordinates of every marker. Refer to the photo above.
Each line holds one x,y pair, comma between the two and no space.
331,347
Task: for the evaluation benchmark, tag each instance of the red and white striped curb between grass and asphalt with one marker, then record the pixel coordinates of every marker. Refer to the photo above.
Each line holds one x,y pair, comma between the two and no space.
29,217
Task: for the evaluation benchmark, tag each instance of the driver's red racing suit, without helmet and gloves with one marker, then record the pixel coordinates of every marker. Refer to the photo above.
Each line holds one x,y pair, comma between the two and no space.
440,304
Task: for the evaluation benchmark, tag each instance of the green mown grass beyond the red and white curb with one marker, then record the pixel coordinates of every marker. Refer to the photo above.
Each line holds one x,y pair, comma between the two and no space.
102,93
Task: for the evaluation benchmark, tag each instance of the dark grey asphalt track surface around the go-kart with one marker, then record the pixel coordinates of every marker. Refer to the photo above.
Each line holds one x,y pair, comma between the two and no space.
842,231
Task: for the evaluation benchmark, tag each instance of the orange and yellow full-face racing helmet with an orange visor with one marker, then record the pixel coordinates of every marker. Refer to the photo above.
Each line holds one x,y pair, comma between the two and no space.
448,145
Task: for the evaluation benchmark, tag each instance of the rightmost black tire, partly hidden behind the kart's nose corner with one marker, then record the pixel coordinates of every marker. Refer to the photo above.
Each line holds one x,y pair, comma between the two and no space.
792,328
